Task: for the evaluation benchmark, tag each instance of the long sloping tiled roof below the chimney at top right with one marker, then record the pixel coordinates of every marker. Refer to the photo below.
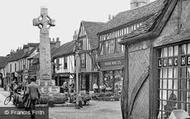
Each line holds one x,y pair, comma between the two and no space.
128,16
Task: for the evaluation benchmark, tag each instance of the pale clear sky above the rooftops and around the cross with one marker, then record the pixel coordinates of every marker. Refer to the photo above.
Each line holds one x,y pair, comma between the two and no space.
16,27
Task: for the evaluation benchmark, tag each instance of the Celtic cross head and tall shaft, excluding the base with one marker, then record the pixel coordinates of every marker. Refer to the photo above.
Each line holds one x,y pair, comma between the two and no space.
44,22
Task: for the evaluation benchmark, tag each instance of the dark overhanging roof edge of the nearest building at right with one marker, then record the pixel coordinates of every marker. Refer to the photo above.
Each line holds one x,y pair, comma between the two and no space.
154,26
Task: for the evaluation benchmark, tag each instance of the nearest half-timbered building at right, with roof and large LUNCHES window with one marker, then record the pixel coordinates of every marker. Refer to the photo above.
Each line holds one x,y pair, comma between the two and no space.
157,58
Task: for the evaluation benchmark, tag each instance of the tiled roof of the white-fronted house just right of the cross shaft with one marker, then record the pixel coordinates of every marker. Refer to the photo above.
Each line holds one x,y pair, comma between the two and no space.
65,49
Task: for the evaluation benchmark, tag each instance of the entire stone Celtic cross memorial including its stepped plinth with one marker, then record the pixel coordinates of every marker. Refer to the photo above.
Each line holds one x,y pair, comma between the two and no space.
44,23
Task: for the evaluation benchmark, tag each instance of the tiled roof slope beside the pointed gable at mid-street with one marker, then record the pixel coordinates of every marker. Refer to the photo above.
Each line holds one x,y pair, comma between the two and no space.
92,29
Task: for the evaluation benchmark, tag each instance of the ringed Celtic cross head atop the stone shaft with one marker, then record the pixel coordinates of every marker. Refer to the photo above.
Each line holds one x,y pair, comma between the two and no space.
44,22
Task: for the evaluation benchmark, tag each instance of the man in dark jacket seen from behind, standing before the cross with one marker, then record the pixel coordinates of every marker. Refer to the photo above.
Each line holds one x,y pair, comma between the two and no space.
33,96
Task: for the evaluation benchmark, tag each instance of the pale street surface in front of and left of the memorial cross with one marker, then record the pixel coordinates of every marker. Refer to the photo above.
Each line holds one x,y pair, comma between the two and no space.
95,110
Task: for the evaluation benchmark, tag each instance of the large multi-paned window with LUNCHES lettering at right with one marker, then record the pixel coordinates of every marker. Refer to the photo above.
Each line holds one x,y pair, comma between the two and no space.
174,79
